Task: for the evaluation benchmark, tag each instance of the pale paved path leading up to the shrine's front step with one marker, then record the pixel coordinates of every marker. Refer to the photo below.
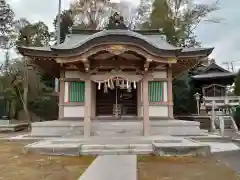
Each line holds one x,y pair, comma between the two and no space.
112,167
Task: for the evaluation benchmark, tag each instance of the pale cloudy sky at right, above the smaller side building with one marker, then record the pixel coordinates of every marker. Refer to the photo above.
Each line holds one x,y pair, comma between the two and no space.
225,35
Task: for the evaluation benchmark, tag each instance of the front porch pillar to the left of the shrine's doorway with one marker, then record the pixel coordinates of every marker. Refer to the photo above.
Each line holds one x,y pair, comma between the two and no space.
87,105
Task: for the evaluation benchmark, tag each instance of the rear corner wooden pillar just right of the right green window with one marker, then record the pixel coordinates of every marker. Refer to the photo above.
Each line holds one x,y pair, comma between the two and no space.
169,90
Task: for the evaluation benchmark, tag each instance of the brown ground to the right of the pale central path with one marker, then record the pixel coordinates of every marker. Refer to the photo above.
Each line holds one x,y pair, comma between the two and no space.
183,168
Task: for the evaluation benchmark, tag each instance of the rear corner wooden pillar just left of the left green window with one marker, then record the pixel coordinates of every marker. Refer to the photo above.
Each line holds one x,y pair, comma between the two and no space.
61,95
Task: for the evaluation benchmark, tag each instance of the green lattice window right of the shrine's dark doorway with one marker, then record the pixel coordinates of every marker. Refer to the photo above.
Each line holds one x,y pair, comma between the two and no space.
155,91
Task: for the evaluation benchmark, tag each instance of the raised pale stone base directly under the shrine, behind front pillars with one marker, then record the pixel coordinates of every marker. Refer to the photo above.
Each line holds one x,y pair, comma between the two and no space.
116,128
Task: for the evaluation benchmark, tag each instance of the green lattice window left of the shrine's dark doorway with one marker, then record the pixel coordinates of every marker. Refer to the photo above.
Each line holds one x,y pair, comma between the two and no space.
76,91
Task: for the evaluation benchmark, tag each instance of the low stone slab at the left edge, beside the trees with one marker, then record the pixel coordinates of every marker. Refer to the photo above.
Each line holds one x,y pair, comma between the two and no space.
12,125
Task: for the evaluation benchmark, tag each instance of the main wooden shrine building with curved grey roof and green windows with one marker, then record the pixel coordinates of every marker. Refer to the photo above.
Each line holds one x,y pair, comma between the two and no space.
115,73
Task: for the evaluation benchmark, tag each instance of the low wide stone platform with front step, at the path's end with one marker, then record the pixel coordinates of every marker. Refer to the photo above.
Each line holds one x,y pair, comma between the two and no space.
152,145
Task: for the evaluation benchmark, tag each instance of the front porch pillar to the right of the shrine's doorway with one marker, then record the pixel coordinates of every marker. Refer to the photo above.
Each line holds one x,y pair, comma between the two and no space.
146,122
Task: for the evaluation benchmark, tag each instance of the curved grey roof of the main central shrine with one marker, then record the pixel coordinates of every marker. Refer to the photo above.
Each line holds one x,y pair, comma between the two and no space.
151,40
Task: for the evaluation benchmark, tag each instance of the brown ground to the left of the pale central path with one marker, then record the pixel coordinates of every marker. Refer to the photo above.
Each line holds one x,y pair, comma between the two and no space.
16,165
